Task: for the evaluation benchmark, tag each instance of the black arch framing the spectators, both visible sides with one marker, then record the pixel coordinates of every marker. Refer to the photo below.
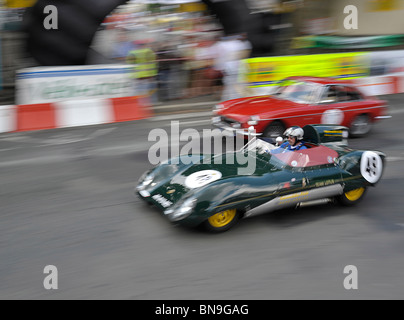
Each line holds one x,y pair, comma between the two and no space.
79,20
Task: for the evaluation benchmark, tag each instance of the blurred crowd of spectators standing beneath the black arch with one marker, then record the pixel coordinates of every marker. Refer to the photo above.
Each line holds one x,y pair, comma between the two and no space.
193,57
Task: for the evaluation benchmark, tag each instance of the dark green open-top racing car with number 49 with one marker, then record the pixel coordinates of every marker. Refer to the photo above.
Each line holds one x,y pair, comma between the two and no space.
213,194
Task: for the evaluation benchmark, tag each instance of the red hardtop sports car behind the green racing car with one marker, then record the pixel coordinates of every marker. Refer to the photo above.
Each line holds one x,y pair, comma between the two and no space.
301,101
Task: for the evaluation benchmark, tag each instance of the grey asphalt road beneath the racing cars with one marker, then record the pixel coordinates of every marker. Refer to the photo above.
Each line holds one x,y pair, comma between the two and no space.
67,200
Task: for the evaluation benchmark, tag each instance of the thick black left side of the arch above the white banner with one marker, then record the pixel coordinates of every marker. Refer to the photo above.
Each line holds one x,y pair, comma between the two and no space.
78,21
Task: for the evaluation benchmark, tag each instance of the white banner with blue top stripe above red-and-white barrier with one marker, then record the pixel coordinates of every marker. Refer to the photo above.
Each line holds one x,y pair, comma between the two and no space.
52,84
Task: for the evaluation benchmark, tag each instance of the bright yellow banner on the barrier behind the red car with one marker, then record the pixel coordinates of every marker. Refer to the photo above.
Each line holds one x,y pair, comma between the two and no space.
266,71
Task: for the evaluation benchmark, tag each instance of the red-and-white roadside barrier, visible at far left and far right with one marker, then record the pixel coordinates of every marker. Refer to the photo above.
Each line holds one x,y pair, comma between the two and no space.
82,112
